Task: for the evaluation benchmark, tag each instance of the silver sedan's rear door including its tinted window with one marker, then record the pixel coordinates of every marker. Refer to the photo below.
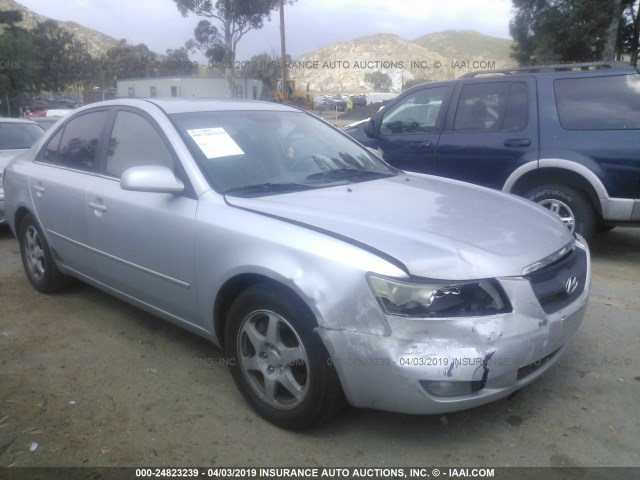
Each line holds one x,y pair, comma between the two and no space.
68,165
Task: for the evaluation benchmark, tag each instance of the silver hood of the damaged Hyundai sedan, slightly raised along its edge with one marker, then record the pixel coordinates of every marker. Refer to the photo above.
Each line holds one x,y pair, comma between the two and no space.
437,228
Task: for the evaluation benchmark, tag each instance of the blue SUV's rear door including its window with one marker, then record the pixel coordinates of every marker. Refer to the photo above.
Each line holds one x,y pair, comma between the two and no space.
491,129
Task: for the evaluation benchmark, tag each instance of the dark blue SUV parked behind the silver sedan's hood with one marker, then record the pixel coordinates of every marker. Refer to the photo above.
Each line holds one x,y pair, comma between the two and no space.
567,137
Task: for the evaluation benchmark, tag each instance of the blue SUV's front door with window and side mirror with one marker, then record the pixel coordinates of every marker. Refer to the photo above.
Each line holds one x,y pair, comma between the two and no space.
409,129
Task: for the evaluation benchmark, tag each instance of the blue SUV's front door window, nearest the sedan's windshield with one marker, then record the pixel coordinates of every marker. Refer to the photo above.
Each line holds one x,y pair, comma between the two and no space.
417,113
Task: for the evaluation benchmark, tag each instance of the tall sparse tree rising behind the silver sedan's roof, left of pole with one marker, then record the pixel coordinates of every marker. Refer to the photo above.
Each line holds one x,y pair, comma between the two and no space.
233,19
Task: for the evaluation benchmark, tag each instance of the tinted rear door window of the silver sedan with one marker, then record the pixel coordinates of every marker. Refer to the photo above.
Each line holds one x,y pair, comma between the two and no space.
77,145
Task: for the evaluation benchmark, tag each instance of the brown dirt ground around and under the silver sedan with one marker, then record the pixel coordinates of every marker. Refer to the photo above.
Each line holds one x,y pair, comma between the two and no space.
86,380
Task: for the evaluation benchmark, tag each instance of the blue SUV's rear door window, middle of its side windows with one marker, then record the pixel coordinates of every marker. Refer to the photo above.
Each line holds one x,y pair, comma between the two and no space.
493,106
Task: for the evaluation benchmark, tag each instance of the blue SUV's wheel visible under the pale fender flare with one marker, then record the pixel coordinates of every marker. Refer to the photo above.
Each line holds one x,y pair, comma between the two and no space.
569,204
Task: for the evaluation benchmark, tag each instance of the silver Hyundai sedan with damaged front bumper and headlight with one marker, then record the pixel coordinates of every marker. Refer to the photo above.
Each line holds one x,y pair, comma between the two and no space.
326,275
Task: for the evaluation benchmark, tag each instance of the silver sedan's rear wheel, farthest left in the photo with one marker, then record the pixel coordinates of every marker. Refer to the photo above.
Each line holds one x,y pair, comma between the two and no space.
41,270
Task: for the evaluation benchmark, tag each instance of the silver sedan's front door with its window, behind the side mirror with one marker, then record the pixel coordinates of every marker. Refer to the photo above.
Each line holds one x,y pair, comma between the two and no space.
143,241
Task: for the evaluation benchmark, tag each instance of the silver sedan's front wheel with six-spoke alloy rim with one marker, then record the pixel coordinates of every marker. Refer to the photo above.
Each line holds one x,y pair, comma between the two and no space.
278,361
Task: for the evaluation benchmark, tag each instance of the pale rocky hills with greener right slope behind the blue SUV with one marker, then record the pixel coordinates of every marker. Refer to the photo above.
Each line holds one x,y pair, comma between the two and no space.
341,67
